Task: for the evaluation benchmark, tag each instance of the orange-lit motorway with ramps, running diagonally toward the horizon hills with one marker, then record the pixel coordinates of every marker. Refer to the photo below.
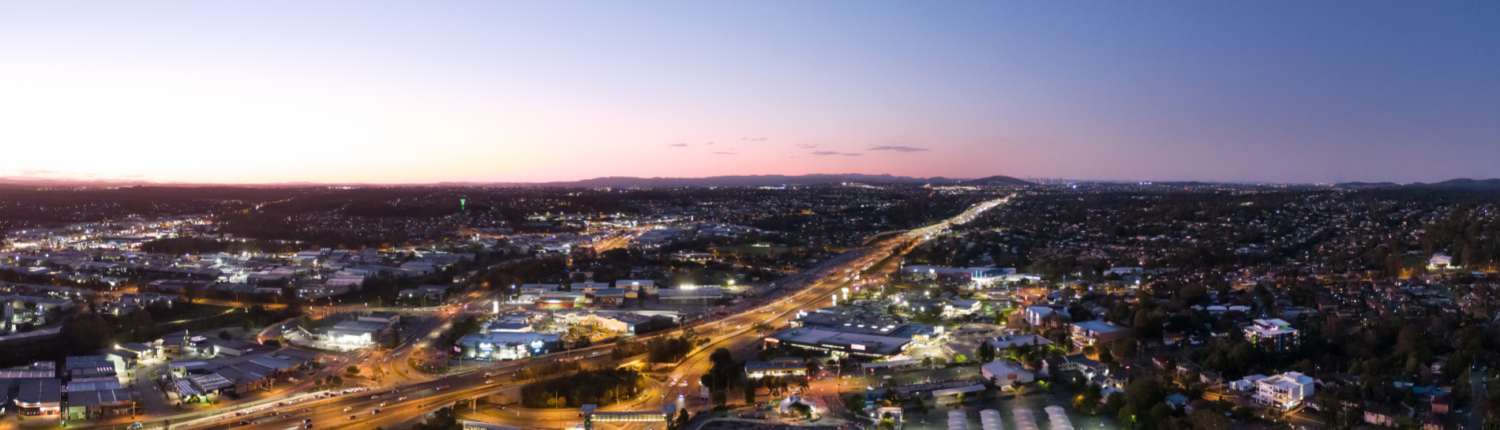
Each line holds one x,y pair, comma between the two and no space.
356,411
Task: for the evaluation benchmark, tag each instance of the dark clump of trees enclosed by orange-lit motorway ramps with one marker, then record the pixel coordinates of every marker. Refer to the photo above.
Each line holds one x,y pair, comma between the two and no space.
589,387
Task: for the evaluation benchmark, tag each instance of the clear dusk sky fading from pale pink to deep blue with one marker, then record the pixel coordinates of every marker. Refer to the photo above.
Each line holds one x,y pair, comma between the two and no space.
422,92
